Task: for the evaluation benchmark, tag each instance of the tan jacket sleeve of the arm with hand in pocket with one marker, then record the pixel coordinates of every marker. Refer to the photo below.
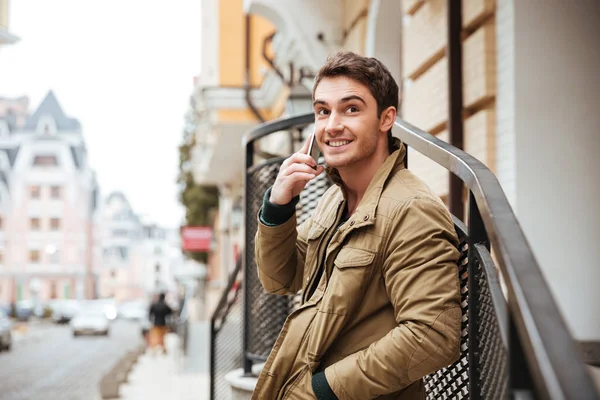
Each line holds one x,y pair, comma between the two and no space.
421,279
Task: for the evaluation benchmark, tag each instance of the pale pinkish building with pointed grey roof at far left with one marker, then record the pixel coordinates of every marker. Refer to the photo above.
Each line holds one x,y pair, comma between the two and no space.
49,196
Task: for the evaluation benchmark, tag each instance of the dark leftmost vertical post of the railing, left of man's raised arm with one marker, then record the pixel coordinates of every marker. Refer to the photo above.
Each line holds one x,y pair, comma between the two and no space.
249,160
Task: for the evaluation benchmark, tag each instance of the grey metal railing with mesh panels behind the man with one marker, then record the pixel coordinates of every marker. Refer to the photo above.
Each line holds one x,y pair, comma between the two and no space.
513,344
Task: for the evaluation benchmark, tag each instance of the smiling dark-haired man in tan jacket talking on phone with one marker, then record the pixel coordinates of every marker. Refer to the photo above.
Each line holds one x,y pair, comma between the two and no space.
376,262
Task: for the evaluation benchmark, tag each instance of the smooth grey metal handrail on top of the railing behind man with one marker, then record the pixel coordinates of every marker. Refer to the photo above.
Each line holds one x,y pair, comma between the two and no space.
535,322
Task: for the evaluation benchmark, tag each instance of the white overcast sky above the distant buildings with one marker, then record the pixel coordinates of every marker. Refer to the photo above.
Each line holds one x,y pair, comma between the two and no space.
125,69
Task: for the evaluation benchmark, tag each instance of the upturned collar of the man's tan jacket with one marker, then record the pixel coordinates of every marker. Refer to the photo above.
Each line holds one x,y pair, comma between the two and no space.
365,212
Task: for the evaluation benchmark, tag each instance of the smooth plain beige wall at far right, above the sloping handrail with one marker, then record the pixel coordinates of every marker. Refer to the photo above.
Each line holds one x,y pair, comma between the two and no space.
557,123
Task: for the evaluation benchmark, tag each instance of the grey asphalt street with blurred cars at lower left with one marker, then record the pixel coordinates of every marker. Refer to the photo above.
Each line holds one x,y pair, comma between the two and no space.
49,363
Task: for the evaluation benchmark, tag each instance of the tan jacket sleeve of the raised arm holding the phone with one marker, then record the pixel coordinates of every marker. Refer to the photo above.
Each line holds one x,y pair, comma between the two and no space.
280,252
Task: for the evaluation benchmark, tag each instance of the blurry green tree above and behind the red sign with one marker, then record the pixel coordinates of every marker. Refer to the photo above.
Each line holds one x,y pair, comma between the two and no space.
200,201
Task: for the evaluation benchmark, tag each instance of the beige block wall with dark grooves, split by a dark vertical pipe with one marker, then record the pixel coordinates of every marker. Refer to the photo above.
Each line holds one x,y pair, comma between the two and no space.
425,80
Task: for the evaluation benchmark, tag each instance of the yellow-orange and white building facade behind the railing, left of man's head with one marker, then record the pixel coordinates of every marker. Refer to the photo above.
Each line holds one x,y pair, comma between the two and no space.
235,90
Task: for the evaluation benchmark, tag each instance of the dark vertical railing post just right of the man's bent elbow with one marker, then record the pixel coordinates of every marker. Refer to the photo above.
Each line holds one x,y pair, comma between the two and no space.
477,234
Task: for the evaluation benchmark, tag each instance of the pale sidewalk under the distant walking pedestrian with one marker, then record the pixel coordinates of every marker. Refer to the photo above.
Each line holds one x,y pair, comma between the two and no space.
158,376
